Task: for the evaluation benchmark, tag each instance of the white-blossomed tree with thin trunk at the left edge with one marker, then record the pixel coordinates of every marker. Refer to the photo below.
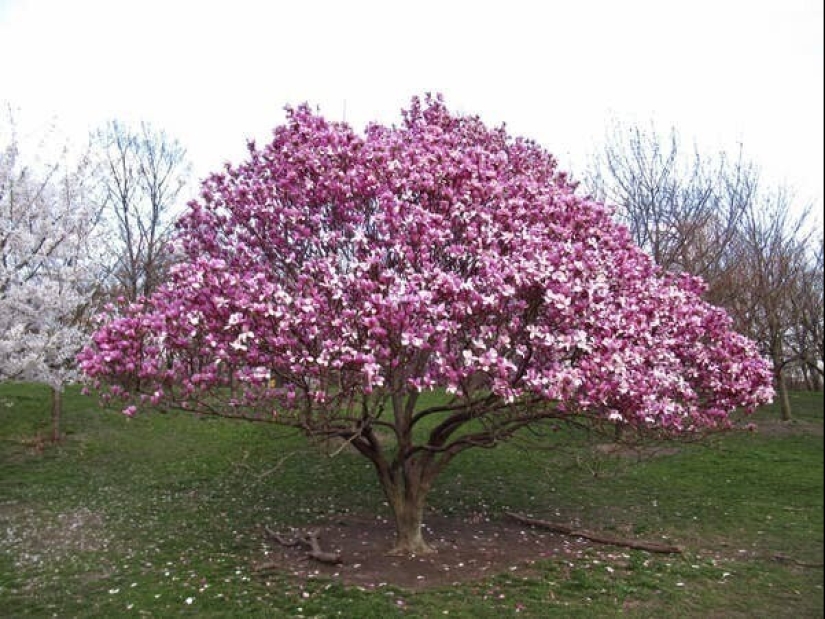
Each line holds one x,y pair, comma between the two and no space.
46,234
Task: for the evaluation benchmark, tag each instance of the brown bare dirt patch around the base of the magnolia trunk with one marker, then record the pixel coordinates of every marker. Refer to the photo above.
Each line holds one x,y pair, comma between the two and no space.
467,549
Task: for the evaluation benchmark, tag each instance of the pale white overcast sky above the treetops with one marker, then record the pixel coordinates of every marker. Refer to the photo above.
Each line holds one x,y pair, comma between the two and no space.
215,73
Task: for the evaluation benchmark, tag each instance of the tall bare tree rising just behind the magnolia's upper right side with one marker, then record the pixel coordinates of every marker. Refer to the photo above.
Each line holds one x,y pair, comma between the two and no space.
680,206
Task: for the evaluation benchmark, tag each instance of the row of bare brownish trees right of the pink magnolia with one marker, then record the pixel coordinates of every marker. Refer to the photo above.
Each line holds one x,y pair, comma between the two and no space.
710,215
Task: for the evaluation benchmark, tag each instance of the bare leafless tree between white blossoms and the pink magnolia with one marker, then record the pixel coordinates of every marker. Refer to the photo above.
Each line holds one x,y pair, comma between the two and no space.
145,172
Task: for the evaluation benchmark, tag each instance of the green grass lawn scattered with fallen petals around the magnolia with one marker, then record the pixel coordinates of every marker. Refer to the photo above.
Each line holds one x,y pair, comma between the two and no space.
132,517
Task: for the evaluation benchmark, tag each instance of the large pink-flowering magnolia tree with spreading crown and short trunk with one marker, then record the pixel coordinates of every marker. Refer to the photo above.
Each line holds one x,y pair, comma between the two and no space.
331,279
